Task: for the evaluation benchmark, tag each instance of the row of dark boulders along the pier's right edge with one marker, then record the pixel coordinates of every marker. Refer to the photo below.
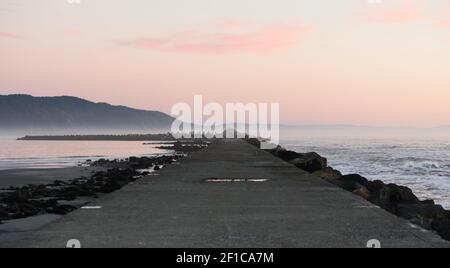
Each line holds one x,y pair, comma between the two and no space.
396,199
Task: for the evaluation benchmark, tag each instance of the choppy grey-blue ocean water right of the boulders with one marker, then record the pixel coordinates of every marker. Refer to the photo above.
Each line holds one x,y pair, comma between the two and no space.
423,164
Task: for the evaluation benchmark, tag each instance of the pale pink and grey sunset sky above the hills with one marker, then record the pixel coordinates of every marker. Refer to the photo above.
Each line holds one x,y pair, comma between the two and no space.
362,62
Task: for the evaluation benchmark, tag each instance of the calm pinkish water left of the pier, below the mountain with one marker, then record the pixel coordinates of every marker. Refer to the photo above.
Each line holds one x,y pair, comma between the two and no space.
57,154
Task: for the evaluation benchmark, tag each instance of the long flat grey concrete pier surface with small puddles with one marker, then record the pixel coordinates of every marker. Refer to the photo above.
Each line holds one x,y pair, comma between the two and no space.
281,206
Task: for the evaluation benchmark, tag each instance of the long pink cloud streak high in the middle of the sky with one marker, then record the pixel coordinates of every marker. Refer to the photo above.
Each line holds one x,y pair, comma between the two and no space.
264,39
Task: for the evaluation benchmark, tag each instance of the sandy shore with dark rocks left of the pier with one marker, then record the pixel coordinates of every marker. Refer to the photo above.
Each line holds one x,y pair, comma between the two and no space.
44,194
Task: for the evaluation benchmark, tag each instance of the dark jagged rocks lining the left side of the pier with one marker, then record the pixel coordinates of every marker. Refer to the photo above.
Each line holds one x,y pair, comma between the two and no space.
64,196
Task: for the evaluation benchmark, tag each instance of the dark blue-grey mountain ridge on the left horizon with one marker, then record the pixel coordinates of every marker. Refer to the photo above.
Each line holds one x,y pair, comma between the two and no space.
68,113
